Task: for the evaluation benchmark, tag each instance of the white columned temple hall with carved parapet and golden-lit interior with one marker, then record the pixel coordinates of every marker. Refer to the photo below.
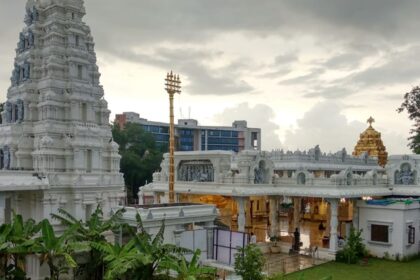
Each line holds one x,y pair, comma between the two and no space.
338,190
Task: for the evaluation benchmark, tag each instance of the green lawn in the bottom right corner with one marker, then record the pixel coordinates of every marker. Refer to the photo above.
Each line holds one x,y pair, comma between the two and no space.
377,269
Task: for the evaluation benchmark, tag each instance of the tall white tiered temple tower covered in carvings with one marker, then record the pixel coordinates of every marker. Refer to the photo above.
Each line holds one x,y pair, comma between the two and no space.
56,147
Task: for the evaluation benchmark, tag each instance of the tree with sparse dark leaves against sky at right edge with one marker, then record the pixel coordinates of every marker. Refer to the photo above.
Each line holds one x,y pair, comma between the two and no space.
411,104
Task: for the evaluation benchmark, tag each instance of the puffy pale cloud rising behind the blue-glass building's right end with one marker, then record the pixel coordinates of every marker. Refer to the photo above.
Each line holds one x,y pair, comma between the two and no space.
260,116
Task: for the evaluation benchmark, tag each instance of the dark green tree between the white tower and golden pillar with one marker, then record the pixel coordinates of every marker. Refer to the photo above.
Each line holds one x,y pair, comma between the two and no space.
140,156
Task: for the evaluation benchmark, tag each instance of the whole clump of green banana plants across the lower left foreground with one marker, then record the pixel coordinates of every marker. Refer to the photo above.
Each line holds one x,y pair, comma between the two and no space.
83,250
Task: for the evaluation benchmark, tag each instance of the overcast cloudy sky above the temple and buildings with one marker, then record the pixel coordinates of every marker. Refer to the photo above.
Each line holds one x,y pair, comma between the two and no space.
306,72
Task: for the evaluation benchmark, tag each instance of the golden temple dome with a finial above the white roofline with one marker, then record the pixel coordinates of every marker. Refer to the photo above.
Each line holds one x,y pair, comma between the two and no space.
370,141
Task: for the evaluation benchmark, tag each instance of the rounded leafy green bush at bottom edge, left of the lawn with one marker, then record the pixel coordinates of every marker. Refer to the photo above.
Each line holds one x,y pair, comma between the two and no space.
249,262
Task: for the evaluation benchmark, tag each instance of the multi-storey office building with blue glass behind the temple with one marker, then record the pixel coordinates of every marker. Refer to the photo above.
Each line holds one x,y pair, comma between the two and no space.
190,136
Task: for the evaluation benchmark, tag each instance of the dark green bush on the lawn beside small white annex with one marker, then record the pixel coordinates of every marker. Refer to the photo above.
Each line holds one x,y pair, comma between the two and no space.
354,249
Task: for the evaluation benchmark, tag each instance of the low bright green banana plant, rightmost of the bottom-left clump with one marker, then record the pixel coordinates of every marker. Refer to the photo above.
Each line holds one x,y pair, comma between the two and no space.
189,270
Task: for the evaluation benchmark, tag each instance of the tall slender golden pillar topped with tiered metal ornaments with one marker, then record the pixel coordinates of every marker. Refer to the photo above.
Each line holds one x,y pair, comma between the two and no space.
173,85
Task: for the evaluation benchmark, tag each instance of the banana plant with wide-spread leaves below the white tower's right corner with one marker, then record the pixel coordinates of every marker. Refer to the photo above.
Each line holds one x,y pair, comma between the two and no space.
91,231
